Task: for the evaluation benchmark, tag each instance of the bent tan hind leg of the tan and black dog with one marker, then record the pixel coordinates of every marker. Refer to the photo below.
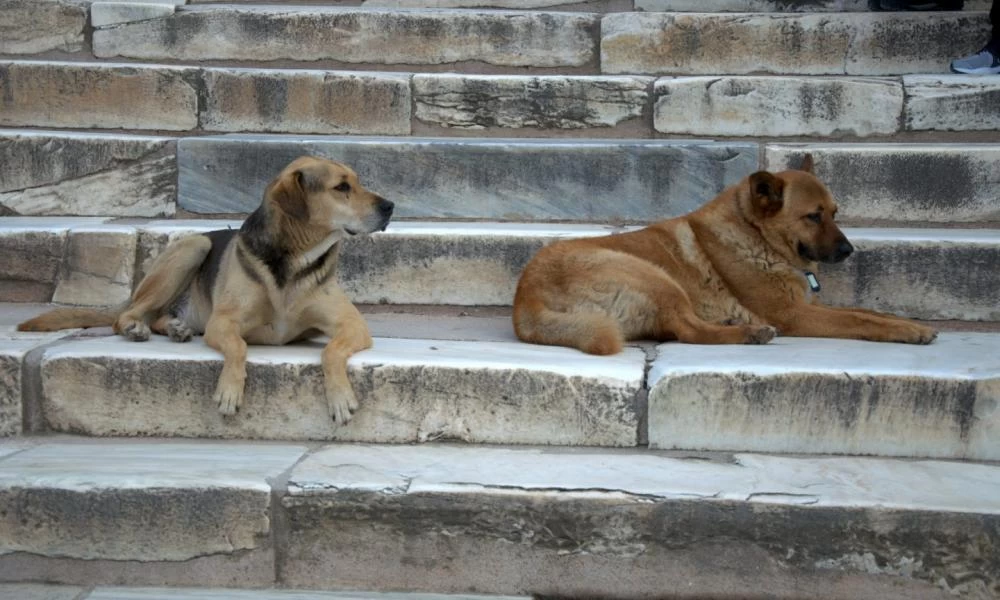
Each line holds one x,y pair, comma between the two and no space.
169,276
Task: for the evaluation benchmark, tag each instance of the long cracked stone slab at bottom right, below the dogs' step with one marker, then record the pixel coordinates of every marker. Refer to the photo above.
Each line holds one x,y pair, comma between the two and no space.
569,523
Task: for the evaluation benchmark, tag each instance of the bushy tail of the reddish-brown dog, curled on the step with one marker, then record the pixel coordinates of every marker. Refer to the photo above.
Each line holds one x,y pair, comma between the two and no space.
592,332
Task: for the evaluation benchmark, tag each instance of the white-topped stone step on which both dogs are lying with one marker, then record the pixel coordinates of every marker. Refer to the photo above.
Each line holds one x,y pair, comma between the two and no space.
466,378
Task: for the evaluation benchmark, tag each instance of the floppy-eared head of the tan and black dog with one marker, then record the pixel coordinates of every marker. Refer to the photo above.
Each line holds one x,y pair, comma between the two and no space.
327,194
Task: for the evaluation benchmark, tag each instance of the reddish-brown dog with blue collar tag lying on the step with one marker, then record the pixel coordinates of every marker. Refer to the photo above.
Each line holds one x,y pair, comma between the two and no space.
736,271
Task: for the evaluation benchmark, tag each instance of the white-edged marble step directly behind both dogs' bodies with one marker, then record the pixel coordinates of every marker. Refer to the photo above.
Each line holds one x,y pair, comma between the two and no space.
921,273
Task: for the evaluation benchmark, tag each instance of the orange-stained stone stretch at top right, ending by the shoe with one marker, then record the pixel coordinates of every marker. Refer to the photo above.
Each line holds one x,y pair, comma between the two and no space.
859,43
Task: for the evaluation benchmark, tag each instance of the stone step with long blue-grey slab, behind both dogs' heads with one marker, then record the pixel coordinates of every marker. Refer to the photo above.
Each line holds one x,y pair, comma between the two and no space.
56,173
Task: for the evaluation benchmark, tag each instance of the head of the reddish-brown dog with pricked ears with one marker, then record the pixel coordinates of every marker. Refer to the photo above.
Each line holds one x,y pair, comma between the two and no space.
796,212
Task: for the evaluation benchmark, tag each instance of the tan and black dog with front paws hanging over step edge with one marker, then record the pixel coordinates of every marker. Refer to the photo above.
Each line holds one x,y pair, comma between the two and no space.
271,282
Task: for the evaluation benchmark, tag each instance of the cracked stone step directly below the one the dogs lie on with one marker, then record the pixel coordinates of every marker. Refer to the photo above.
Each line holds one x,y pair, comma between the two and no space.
571,523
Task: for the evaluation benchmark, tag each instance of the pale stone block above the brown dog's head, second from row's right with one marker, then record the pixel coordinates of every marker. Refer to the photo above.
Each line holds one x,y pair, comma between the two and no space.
777,106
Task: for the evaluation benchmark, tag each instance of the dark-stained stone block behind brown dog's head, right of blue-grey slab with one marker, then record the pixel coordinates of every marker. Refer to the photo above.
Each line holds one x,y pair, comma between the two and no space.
913,183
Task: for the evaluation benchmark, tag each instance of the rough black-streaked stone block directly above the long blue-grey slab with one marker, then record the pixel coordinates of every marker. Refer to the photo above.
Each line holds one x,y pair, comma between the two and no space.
511,101
